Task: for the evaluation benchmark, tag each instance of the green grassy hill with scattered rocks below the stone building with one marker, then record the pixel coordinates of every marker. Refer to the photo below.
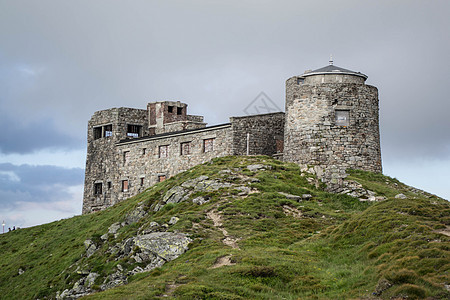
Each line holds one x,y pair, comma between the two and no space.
257,228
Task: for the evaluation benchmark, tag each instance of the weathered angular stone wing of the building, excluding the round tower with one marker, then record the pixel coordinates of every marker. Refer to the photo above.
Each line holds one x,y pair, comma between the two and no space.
122,164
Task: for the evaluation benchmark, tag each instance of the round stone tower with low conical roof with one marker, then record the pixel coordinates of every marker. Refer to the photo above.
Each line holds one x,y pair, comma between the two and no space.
332,123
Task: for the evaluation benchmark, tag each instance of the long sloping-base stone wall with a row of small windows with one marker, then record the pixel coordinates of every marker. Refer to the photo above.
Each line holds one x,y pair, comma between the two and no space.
142,168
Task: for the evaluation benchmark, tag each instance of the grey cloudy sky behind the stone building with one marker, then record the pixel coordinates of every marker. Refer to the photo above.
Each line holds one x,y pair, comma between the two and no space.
62,60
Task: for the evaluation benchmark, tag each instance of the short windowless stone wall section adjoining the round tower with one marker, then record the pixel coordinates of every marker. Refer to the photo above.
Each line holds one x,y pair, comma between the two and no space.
264,132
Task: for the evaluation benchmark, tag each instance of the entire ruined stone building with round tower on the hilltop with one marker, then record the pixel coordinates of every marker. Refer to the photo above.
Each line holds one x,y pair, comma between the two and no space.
330,124
